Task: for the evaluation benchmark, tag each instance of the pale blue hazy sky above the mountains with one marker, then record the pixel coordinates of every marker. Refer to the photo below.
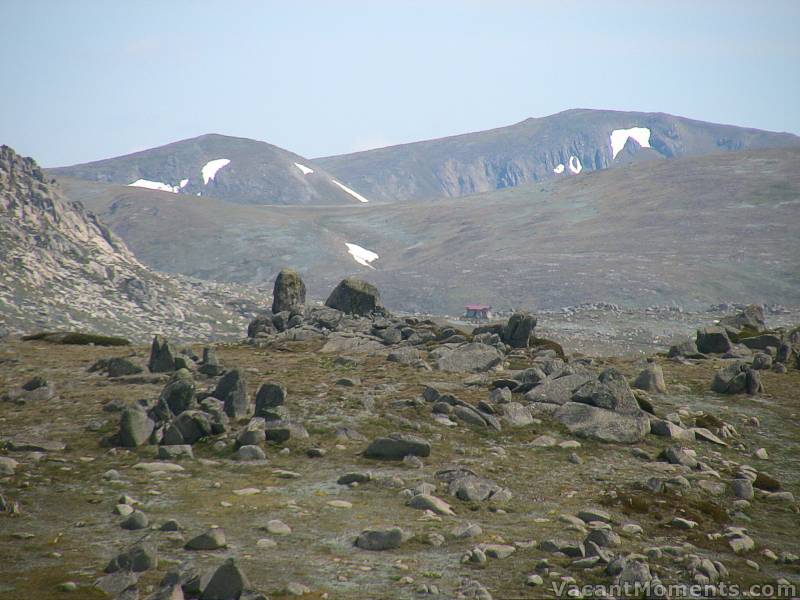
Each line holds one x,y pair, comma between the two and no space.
84,80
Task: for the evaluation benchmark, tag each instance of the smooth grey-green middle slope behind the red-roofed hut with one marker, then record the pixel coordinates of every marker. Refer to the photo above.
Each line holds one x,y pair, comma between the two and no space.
689,231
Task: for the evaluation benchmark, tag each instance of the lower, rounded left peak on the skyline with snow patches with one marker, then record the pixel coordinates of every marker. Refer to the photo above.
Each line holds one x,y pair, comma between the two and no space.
235,169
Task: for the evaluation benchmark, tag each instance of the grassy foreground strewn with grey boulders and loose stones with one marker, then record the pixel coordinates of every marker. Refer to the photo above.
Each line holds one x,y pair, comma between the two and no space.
521,470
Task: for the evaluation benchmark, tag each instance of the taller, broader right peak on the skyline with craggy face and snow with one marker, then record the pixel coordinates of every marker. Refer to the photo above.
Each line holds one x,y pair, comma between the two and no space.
553,147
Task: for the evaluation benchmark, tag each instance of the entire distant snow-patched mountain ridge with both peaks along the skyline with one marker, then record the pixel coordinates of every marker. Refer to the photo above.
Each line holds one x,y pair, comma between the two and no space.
535,149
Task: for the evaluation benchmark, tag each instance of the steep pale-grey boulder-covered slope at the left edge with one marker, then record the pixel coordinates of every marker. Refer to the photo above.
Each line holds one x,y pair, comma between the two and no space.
62,268
